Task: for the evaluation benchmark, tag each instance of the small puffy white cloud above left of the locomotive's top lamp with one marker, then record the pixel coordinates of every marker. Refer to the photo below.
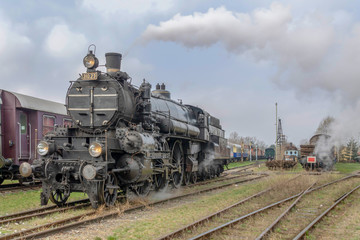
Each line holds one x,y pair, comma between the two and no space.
61,42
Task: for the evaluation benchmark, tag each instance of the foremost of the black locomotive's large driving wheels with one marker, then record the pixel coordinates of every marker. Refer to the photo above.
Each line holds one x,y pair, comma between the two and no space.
177,160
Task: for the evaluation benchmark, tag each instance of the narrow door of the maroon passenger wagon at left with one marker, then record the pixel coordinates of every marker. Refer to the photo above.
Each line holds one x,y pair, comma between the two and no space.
24,138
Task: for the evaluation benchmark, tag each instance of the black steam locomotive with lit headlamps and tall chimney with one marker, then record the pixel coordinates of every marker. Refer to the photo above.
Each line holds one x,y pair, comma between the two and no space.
125,138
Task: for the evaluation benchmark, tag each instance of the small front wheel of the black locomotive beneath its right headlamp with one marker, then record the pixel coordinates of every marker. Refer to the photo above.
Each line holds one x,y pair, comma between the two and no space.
108,192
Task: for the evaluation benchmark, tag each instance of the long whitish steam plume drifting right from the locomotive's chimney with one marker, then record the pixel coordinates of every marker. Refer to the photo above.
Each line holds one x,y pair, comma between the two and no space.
315,52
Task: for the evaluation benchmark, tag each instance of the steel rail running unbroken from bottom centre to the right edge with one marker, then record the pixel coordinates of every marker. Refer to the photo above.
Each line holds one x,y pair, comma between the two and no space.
230,223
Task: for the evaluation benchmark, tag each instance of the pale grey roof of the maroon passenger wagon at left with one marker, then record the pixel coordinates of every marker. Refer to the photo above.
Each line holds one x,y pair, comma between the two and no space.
40,104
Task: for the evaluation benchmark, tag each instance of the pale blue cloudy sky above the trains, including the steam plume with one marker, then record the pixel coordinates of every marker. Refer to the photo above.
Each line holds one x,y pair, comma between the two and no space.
233,58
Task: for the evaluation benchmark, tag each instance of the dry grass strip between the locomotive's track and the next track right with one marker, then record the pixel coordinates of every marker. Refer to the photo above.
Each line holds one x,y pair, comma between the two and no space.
167,217
